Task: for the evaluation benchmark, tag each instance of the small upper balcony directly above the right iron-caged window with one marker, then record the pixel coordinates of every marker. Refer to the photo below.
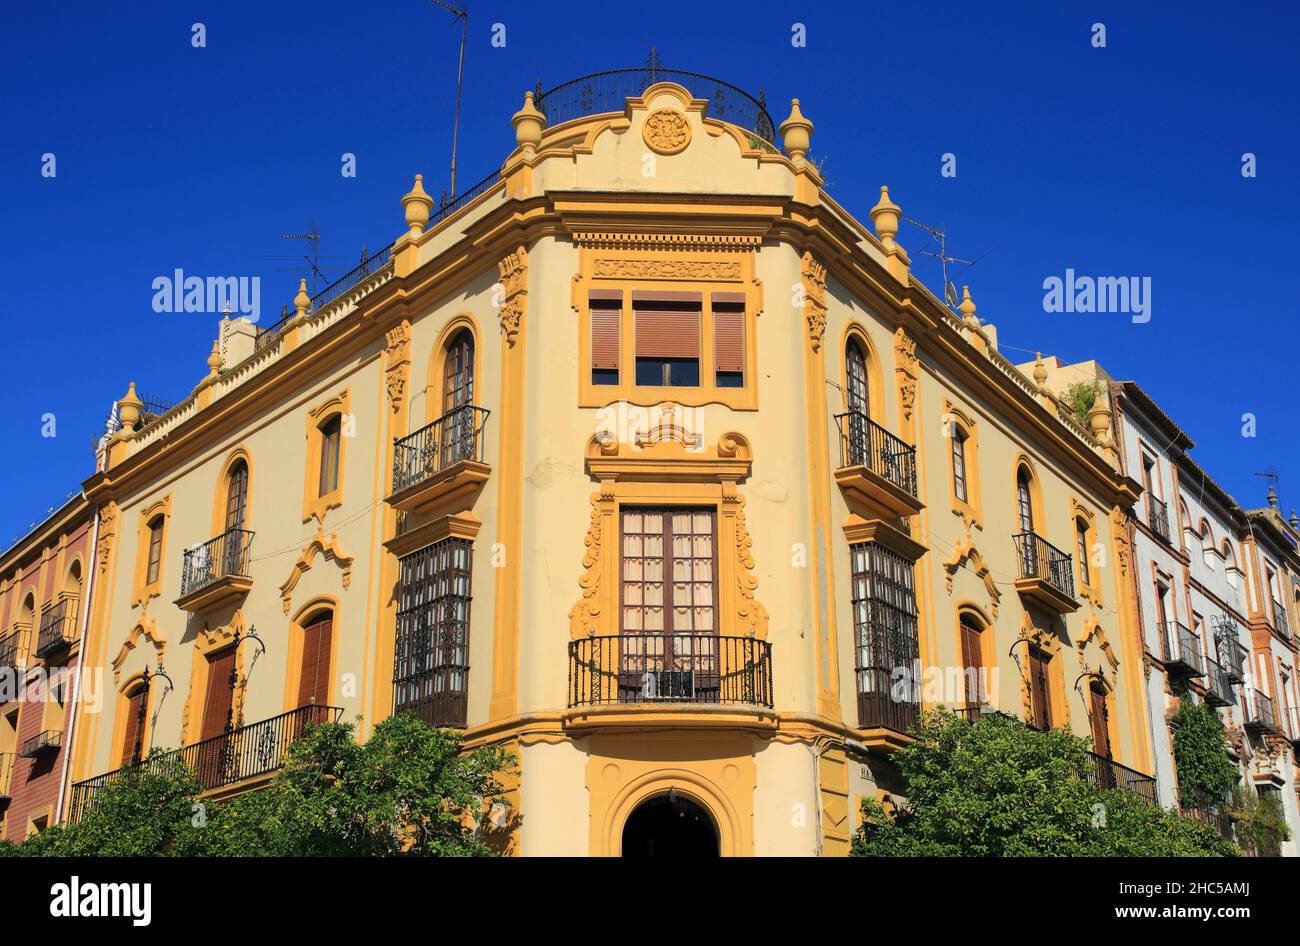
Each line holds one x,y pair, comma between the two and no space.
878,471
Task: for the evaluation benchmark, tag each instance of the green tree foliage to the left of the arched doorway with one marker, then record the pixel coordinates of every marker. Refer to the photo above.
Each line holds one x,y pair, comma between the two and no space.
409,791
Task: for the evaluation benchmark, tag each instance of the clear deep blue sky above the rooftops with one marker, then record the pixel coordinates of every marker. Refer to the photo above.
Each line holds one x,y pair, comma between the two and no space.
1117,162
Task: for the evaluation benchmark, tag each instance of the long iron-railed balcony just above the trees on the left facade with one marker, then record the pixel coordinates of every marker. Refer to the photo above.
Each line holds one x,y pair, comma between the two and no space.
236,757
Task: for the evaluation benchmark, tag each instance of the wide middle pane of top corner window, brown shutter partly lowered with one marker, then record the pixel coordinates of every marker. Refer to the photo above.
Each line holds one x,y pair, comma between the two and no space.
668,339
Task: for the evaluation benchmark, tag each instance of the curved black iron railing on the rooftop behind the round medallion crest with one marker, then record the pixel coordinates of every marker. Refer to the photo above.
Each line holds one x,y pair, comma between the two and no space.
608,92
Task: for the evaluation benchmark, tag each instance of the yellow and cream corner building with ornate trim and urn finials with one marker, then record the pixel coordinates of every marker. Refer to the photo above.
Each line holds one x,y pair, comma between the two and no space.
645,459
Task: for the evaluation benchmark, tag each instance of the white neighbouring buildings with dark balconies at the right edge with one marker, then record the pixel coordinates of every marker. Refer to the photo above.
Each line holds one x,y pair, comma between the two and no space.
1212,584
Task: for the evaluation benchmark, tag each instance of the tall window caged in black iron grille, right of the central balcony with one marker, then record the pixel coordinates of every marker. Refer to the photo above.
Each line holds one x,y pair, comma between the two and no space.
885,635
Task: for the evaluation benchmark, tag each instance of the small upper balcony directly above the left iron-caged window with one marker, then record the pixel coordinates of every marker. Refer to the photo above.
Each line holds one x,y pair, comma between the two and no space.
441,463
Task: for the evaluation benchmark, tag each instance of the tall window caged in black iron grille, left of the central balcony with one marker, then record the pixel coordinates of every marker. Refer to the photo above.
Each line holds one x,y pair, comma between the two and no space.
431,663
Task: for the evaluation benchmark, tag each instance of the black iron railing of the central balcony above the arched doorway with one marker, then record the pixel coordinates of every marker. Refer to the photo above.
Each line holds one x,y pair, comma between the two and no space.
670,669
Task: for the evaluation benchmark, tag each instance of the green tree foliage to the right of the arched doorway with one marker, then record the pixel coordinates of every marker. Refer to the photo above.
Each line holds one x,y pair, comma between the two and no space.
996,788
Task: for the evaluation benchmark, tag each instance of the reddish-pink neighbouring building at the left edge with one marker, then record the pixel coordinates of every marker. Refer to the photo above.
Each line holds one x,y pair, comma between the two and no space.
45,583
